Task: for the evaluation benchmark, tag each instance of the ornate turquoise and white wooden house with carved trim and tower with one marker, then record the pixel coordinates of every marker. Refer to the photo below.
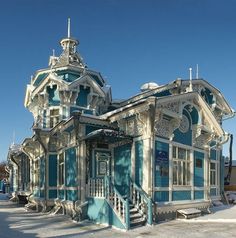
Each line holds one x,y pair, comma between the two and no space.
123,163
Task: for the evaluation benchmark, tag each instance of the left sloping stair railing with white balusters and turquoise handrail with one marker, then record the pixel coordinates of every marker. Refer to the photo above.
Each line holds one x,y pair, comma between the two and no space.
119,205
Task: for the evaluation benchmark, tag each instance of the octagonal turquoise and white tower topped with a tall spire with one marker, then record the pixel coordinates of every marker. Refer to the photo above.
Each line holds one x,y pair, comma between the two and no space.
67,85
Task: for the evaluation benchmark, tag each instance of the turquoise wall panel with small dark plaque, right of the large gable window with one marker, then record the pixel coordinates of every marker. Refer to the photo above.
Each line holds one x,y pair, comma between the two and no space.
198,172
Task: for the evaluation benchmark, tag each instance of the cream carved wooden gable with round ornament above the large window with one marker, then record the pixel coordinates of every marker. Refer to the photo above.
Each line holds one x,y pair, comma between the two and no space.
169,117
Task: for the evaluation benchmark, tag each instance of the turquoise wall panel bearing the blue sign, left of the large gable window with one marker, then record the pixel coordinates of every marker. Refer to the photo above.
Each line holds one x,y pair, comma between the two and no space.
161,164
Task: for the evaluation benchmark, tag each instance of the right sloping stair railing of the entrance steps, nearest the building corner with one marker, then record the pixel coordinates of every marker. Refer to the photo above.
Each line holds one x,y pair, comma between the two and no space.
141,201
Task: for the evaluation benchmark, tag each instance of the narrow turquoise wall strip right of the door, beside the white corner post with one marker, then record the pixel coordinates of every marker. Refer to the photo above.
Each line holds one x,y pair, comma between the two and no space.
139,162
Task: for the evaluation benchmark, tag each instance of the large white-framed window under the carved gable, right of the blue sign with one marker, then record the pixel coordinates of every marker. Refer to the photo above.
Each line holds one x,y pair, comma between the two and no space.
181,166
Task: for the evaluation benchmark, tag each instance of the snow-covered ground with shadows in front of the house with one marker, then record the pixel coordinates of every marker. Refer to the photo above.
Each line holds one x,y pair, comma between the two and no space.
16,222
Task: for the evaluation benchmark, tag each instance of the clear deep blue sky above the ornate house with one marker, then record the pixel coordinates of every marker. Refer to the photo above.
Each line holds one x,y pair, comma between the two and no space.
129,41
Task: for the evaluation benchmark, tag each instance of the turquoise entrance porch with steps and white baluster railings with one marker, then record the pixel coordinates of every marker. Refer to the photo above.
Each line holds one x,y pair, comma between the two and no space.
107,205
